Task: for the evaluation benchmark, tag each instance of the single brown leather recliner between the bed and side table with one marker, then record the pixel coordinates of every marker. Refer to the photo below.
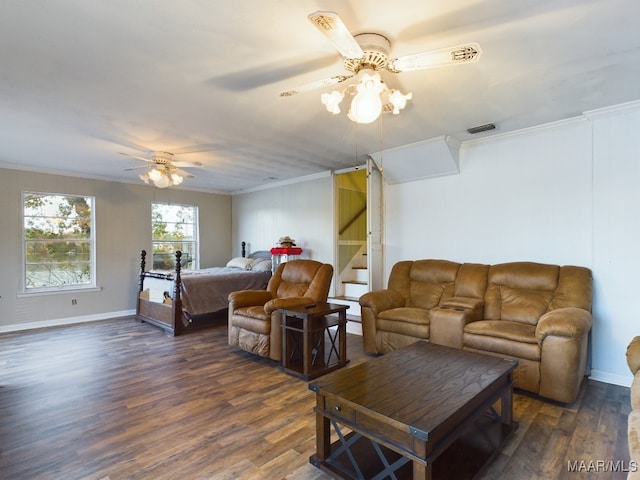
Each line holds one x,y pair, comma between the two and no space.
254,319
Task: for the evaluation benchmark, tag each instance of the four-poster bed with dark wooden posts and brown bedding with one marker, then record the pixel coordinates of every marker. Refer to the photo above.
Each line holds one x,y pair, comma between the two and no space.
174,300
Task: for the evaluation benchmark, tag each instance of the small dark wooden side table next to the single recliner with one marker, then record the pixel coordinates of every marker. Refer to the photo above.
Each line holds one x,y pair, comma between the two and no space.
314,339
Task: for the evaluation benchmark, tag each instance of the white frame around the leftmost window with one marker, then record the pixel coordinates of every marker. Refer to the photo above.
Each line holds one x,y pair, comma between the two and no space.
91,240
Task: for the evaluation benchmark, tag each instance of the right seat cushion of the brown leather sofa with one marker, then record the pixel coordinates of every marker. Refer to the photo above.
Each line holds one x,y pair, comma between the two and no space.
504,337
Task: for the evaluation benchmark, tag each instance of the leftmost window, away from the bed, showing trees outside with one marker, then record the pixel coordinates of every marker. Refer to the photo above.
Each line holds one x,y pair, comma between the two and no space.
59,241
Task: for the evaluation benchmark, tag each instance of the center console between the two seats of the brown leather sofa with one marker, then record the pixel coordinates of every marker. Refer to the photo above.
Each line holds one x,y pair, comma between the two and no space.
449,319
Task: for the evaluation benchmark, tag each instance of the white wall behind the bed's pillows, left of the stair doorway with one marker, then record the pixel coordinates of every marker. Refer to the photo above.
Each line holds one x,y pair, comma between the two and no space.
303,210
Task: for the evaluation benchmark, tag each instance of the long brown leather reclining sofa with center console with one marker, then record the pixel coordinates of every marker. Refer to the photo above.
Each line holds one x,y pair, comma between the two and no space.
537,314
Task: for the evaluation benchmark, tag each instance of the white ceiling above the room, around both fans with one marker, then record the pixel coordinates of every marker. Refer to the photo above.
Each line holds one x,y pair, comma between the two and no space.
82,80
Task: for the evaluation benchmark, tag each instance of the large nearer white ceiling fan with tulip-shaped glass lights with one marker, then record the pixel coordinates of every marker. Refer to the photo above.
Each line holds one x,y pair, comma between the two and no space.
367,54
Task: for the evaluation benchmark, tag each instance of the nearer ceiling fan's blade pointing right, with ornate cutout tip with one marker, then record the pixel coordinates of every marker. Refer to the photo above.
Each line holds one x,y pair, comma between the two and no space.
467,53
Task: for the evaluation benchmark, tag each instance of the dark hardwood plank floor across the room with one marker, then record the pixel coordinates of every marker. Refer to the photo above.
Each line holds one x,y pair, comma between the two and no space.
119,399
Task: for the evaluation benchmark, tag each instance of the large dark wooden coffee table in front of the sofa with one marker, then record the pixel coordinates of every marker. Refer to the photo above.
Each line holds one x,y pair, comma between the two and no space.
399,413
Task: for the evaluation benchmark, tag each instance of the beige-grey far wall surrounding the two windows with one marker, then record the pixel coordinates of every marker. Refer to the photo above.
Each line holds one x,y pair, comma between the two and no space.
123,228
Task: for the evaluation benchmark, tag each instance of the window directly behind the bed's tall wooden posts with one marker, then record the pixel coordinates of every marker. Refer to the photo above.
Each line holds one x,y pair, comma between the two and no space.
175,227
